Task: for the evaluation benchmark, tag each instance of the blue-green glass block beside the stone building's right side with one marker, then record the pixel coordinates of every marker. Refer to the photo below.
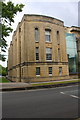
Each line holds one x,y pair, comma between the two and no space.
72,52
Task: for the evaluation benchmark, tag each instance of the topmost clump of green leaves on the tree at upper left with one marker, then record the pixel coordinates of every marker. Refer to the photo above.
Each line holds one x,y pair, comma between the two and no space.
9,11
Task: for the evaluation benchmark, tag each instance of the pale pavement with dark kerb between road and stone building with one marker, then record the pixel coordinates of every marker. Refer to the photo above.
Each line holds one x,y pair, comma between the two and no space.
23,86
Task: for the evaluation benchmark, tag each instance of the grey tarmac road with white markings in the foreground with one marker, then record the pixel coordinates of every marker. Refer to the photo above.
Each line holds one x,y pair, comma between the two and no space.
61,102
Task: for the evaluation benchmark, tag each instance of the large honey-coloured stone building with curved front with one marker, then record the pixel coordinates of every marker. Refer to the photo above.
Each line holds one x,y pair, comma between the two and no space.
38,50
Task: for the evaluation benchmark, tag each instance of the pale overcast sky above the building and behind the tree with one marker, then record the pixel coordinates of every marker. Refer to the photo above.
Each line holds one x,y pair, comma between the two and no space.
65,10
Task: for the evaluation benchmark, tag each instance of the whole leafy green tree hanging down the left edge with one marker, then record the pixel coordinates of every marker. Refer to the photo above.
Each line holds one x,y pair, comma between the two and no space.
7,14
